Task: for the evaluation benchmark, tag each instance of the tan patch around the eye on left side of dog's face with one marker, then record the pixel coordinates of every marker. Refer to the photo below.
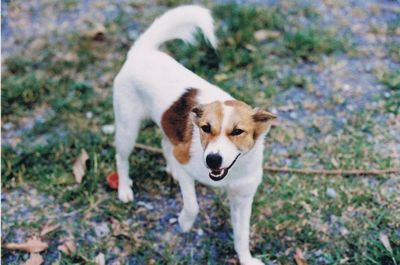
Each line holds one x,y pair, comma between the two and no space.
210,114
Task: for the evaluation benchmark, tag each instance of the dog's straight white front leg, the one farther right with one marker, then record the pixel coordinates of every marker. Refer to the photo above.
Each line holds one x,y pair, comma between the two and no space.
240,205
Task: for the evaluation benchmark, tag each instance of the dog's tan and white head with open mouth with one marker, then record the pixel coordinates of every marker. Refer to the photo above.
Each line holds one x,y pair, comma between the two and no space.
228,130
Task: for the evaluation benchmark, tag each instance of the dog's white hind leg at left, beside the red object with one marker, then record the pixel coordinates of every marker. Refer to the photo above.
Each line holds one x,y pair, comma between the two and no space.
129,112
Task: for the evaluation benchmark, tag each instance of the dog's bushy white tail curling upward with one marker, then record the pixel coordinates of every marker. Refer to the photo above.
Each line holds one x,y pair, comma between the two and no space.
178,23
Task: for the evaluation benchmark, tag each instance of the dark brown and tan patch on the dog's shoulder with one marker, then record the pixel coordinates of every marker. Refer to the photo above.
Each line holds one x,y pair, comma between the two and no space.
177,125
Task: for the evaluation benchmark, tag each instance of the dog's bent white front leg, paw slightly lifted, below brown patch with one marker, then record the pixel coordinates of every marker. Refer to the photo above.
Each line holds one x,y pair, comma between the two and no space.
190,206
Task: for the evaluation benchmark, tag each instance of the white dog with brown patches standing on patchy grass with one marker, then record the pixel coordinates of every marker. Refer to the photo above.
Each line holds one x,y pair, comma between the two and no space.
208,136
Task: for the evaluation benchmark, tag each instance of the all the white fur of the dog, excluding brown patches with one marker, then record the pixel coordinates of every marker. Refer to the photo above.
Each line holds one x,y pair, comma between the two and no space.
146,86
